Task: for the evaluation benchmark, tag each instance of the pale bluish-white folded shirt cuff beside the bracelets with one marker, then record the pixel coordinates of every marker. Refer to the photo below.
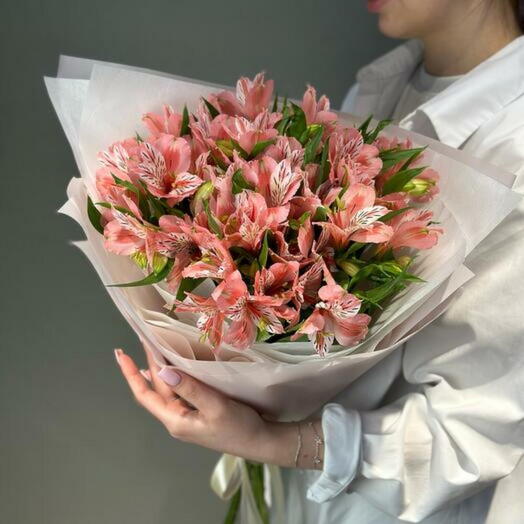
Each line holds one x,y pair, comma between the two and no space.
342,452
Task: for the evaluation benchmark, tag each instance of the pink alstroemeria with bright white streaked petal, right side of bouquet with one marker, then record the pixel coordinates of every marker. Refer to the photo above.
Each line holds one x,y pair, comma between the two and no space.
358,220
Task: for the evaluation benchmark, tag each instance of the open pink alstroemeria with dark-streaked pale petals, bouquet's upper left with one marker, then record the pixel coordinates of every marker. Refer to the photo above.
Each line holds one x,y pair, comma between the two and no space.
164,169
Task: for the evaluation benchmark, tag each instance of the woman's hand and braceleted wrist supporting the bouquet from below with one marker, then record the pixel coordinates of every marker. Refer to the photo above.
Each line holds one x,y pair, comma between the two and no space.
196,413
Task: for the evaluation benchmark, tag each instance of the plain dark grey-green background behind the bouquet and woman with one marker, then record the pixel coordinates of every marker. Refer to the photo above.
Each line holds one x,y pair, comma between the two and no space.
74,447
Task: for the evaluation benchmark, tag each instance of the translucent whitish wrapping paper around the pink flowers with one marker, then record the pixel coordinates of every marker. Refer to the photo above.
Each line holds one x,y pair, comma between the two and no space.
98,104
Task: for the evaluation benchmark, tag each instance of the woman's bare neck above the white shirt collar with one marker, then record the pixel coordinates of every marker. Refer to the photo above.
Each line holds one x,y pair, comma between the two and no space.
460,47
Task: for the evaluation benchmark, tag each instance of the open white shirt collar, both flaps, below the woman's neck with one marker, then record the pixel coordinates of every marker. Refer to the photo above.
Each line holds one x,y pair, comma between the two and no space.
458,111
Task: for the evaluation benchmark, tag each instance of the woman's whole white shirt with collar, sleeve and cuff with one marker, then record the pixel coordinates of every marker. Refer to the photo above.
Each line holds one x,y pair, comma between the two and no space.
435,433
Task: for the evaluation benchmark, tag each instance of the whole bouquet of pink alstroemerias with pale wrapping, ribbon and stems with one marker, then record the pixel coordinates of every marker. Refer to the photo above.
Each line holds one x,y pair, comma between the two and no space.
274,249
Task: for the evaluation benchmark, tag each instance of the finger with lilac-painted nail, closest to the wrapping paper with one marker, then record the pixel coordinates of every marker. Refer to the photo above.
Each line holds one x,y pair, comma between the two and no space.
205,399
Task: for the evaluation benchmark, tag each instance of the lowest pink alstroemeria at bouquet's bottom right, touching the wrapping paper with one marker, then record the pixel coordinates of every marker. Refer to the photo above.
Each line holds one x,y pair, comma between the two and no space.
335,316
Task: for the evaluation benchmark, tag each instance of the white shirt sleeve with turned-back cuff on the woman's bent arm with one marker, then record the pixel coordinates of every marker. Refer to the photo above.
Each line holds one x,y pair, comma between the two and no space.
461,425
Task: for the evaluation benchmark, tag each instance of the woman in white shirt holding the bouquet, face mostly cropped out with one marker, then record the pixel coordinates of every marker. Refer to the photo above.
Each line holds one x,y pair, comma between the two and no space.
428,434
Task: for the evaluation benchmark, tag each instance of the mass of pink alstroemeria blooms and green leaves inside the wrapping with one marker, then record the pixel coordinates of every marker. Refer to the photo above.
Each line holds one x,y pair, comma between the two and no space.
307,227
